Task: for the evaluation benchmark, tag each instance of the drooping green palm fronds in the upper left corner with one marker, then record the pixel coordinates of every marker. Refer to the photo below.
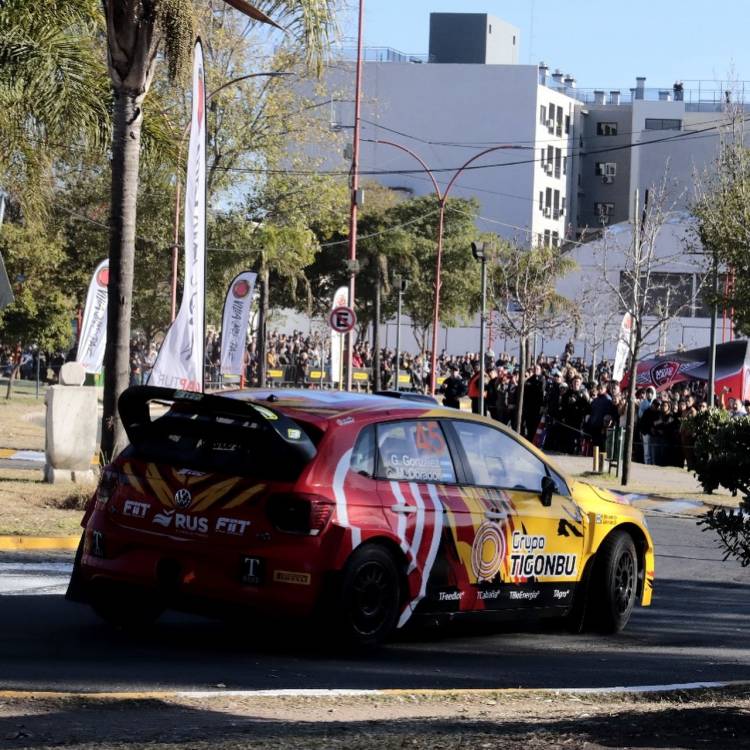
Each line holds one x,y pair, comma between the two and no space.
53,91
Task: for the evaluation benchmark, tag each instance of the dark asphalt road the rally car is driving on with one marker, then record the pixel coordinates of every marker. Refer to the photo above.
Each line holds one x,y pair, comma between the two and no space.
697,630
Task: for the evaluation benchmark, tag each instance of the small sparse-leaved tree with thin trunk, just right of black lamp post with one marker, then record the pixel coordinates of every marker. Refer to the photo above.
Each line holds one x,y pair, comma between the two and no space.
522,287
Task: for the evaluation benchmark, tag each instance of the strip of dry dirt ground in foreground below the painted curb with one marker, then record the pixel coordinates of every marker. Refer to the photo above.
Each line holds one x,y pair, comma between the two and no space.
452,721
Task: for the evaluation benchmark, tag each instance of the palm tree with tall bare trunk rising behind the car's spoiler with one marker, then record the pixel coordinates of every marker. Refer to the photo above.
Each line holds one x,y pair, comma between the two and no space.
136,31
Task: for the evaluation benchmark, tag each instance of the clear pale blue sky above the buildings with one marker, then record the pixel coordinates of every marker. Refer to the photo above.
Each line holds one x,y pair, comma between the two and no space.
603,44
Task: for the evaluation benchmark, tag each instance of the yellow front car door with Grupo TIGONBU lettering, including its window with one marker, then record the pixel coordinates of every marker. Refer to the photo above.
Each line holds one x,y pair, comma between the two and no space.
528,544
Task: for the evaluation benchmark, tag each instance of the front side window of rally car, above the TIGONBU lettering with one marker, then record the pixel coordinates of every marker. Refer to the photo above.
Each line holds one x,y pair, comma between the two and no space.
496,460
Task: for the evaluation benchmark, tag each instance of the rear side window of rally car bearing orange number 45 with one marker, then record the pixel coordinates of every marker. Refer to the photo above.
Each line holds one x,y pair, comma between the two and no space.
414,451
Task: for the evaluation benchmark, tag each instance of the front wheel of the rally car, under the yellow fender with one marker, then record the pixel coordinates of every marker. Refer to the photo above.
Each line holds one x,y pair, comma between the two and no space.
613,589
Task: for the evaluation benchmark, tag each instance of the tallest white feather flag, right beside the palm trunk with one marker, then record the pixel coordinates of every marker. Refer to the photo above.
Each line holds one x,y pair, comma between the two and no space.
180,360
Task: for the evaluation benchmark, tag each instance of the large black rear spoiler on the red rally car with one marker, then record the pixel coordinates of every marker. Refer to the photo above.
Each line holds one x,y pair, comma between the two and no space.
226,420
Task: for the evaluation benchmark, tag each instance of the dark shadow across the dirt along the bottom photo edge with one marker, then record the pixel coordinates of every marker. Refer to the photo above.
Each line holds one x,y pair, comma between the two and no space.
133,723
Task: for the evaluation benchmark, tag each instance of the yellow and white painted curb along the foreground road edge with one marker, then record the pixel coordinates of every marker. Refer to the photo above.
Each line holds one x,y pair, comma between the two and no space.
354,693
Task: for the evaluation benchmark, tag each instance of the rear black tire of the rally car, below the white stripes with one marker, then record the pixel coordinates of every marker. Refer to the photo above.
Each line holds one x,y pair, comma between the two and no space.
369,597
